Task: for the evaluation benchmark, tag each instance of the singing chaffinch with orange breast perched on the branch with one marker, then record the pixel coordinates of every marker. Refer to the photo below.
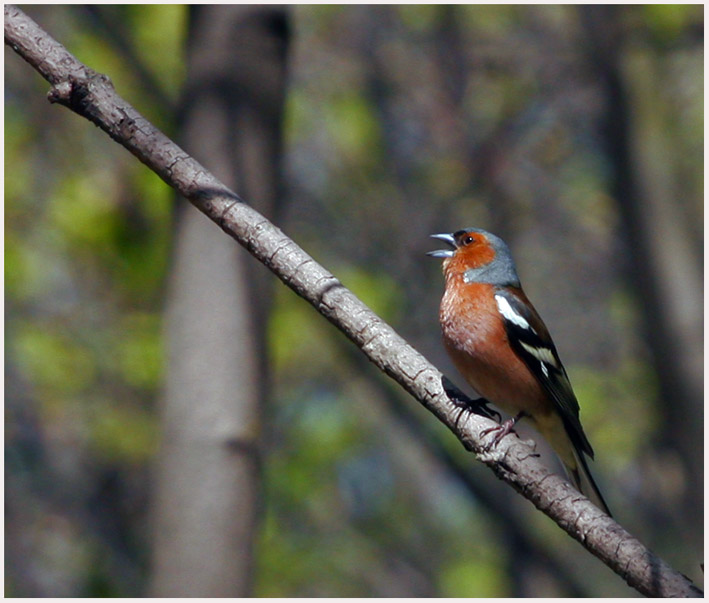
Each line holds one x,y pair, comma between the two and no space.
500,345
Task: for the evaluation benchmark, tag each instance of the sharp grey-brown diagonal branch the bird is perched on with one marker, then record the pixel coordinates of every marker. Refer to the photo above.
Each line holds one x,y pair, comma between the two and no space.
92,96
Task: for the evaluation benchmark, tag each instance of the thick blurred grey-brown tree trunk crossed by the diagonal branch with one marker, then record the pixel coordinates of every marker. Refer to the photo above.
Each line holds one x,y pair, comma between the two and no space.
208,474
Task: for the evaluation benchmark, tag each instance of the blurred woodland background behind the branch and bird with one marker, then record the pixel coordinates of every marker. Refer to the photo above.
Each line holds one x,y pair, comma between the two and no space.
179,423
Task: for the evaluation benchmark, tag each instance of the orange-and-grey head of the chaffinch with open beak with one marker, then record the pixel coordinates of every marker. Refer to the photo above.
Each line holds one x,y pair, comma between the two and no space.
477,256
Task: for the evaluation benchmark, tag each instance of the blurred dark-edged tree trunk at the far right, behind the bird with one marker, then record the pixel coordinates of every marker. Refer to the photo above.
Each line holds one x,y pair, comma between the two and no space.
662,263
